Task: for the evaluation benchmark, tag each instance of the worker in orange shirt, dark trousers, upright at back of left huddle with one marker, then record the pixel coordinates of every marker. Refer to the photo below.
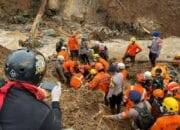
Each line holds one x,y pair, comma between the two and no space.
73,45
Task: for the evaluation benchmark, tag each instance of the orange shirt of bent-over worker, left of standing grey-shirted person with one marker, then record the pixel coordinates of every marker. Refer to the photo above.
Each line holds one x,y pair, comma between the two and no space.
101,81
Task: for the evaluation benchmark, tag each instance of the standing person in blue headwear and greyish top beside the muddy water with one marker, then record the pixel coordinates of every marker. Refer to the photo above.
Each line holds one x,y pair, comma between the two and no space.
155,48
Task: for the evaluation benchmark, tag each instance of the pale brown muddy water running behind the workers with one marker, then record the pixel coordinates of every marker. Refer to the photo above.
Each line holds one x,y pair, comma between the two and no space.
117,47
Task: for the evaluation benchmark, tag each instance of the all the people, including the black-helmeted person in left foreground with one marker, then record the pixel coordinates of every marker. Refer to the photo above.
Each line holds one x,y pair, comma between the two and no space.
152,102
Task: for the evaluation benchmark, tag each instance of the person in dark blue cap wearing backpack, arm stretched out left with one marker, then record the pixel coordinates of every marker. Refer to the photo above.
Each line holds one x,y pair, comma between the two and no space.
134,113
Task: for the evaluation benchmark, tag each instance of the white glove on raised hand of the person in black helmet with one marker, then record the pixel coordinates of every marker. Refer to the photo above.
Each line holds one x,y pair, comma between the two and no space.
56,93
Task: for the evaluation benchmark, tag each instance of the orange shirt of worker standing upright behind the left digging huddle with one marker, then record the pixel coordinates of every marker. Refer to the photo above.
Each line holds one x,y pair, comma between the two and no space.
73,43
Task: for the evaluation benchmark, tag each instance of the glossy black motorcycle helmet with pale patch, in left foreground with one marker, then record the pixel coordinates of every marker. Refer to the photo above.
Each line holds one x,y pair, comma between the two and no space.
25,65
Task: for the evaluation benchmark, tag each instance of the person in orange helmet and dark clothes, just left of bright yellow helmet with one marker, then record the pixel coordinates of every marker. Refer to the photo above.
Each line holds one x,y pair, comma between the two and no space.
157,108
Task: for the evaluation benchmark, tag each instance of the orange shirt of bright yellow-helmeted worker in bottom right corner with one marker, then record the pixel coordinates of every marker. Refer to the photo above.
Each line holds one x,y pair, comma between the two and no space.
167,123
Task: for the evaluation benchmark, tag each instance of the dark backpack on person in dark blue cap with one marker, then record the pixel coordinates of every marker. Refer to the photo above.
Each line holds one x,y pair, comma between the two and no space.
145,119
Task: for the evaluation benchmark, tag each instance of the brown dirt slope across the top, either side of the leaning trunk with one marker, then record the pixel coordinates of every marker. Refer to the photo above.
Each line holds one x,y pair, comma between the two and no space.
124,15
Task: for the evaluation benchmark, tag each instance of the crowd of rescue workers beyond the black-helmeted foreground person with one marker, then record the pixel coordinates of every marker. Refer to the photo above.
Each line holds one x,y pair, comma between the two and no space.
151,102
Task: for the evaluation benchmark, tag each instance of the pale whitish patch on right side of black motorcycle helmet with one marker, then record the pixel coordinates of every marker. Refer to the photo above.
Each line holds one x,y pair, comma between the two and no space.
40,64
